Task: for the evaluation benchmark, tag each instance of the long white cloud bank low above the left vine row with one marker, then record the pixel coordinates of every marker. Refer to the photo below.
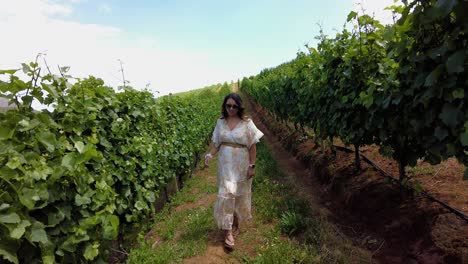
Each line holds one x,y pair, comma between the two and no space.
91,49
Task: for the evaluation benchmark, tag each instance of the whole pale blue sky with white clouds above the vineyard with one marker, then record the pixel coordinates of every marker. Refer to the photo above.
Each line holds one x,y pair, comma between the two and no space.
168,46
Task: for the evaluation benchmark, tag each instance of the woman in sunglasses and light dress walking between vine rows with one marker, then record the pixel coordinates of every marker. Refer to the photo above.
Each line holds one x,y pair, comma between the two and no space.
234,137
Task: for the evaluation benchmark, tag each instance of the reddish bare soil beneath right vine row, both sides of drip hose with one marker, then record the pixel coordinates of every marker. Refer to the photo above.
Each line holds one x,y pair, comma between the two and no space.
398,227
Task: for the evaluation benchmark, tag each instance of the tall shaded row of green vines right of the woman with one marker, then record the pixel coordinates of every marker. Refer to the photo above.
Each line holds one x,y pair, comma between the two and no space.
400,86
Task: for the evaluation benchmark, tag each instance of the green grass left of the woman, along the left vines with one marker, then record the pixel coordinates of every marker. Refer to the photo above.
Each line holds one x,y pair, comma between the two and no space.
179,234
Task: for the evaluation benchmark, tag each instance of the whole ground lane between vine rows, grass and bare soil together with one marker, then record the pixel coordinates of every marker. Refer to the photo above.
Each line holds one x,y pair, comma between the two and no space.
357,218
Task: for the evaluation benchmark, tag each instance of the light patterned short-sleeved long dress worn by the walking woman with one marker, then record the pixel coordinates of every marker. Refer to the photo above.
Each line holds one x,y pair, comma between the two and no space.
234,195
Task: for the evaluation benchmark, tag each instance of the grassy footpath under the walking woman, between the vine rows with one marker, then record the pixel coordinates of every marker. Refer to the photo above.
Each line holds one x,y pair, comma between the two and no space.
287,225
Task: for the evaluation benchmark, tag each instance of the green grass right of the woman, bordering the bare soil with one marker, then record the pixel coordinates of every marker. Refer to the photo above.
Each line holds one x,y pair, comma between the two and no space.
309,238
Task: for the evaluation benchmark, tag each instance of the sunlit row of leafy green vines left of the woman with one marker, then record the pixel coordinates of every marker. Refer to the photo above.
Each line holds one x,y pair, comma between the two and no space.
74,177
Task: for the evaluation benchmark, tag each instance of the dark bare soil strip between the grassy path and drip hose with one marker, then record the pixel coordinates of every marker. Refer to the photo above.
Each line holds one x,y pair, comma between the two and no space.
368,210
